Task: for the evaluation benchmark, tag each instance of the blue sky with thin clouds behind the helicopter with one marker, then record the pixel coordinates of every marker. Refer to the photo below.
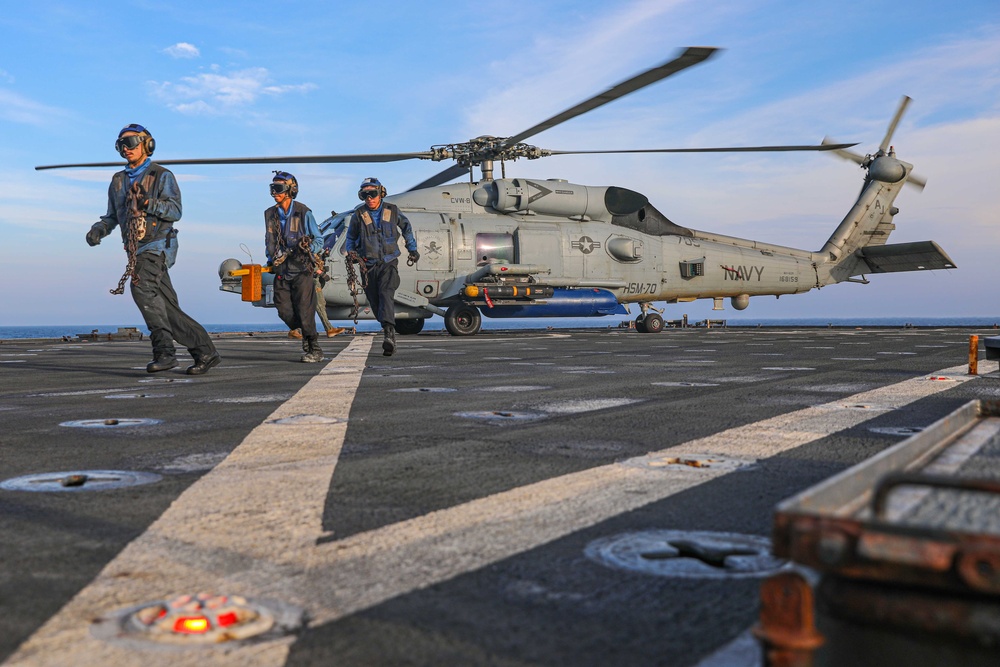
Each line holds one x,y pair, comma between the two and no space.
248,78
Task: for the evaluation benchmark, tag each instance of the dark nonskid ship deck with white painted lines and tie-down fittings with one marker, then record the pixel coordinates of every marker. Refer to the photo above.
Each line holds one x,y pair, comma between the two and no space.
466,501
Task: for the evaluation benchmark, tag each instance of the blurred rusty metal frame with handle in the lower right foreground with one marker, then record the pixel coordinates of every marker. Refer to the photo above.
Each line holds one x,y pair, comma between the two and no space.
840,527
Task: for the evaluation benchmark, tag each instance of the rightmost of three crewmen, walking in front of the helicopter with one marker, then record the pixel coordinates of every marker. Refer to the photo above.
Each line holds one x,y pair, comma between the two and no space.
373,236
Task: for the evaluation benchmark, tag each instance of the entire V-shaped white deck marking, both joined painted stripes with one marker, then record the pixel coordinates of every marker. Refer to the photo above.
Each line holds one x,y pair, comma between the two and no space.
265,545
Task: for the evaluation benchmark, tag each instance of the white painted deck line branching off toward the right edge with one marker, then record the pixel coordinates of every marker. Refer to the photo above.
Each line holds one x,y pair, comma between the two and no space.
367,569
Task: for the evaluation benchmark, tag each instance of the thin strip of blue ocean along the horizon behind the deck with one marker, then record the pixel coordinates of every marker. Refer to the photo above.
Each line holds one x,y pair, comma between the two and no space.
437,324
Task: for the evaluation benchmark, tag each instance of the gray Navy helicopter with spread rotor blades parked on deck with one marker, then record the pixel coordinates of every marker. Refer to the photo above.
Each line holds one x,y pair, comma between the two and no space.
522,247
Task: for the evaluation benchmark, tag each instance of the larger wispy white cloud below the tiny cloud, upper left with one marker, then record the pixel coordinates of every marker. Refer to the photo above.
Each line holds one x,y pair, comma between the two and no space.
218,93
